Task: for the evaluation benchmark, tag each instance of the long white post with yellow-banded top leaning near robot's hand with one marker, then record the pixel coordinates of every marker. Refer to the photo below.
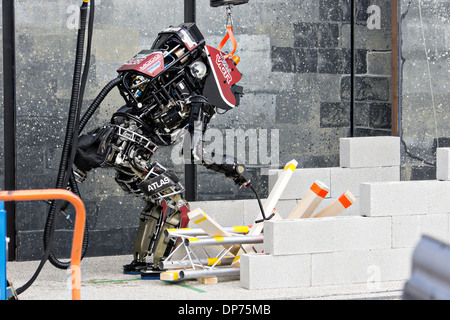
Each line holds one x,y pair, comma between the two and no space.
268,206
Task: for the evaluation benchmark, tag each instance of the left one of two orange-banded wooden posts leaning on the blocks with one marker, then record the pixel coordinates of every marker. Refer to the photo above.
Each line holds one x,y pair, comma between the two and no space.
310,201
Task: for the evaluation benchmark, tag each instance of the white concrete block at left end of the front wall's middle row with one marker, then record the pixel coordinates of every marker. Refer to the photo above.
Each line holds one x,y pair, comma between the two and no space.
287,237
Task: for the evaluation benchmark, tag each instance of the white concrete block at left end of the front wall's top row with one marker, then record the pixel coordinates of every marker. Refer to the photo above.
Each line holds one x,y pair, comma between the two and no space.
393,198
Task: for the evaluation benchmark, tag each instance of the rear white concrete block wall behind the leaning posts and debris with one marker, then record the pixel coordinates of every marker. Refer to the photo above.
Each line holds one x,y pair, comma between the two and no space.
364,160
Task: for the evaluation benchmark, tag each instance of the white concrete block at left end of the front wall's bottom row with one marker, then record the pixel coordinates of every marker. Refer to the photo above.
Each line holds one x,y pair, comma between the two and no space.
262,271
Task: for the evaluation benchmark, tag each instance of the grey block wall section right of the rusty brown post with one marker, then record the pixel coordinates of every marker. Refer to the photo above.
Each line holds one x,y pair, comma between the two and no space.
425,94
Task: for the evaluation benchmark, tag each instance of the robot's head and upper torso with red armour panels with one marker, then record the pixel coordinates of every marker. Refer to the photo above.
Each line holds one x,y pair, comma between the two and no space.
180,65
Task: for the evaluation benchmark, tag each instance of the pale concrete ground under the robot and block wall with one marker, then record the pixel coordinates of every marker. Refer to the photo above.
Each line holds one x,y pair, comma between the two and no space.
102,279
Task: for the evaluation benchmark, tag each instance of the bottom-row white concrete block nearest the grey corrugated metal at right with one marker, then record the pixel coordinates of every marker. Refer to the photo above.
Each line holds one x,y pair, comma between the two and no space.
388,265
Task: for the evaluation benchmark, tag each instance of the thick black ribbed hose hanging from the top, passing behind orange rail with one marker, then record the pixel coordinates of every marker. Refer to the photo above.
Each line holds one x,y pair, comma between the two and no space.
62,179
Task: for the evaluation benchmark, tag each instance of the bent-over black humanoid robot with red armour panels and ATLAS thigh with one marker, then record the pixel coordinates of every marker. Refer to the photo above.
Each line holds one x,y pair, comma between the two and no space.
170,91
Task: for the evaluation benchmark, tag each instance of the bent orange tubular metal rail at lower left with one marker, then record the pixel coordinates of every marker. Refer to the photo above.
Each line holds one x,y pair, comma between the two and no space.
78,233
